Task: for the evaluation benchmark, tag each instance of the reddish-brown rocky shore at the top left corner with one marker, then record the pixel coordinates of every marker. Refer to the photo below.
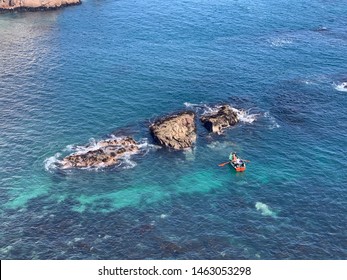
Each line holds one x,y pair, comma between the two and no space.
32,5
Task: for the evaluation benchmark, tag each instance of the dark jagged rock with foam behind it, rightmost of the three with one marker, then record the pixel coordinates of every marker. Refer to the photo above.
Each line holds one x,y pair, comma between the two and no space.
217,121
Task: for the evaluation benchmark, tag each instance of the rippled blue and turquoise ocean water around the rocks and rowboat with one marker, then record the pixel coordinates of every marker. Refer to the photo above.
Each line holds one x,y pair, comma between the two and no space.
77,75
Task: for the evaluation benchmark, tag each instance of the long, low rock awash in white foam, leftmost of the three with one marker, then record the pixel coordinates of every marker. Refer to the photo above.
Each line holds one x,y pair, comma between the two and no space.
105,153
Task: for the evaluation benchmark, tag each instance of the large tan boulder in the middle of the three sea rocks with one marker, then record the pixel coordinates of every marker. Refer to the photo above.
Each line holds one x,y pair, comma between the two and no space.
175,131
